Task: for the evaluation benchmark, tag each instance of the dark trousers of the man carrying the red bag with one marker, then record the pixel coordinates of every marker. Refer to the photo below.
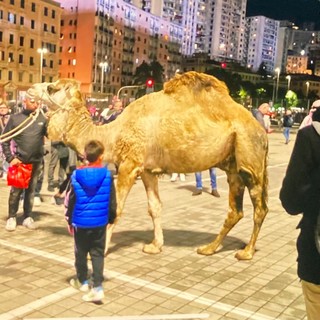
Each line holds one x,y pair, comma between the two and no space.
15,194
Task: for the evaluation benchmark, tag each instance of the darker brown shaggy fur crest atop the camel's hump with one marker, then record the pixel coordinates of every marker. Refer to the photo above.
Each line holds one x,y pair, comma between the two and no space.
196,82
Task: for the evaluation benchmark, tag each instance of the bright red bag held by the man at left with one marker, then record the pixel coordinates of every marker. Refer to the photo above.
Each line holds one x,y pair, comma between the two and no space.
19,175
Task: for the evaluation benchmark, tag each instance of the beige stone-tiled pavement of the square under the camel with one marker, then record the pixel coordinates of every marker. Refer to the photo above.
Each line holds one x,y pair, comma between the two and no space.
35,266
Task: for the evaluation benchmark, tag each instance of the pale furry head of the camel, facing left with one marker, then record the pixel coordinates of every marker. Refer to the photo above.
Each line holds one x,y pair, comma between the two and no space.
56,94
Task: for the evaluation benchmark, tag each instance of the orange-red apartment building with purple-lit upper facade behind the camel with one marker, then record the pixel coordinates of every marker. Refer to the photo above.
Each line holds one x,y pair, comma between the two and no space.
104,42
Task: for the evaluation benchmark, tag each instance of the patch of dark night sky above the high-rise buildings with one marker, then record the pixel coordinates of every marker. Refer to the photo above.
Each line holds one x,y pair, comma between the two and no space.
297,11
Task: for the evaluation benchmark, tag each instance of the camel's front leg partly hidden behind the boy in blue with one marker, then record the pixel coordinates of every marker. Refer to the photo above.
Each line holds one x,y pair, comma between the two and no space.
127,174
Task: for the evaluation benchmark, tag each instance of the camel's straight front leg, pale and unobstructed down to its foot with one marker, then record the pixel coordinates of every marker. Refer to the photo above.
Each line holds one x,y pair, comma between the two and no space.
150,182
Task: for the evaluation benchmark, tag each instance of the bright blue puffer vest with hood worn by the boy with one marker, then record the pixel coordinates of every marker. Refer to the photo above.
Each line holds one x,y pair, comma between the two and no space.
92,187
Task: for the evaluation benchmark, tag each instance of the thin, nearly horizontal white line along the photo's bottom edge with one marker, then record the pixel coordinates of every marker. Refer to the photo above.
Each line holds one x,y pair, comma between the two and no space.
153,317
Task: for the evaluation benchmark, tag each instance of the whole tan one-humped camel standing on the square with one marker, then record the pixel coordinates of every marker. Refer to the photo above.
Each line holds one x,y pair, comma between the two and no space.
191,125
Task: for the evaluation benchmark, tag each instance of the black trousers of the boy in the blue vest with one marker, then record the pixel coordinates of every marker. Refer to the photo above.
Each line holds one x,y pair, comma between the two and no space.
92,241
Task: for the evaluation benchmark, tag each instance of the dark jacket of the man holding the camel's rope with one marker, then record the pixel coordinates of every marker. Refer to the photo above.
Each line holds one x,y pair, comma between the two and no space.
29,143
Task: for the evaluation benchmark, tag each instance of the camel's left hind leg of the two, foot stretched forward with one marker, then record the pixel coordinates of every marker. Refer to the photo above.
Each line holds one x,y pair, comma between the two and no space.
235,213
